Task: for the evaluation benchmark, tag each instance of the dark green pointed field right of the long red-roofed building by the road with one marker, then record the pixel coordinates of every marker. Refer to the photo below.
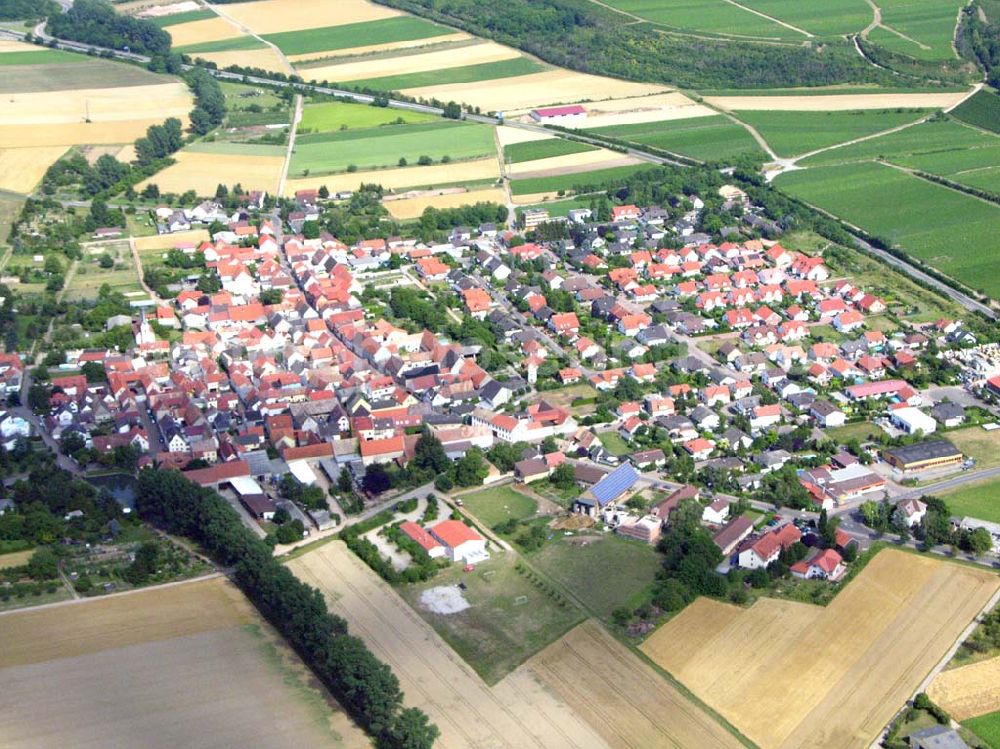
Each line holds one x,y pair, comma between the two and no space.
714,138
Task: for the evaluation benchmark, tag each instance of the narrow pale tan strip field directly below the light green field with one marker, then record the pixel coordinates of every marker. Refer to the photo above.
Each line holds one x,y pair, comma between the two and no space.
395,179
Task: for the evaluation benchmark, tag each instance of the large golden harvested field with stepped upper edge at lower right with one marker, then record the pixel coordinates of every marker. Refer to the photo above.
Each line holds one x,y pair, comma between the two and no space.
830,676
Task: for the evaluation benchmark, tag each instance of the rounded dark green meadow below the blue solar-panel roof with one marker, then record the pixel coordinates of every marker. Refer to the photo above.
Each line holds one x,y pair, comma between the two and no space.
604,572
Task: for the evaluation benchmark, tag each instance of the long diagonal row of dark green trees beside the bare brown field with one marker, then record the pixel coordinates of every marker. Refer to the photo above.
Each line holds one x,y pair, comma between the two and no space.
364,685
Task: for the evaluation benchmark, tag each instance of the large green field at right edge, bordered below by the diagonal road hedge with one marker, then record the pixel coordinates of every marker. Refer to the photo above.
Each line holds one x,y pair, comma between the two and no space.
947,229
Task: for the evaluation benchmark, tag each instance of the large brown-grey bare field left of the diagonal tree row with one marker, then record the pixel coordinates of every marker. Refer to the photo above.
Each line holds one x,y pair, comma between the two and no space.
186,665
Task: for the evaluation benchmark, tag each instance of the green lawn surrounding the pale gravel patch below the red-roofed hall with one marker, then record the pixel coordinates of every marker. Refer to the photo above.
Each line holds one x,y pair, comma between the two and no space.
509,618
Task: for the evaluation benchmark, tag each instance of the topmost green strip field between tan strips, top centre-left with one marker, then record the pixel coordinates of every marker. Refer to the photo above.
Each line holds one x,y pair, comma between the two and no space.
401,29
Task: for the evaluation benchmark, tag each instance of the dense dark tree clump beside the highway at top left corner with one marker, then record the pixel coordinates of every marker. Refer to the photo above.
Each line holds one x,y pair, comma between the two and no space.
96,22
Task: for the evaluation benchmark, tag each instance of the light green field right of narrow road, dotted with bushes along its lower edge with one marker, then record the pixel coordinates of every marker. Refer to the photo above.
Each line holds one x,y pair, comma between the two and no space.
384,146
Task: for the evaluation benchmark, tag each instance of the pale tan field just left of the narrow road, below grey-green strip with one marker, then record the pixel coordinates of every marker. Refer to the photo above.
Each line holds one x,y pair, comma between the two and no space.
204,172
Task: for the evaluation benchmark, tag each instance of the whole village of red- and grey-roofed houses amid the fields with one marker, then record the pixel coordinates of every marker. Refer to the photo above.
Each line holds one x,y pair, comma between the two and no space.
644,364
